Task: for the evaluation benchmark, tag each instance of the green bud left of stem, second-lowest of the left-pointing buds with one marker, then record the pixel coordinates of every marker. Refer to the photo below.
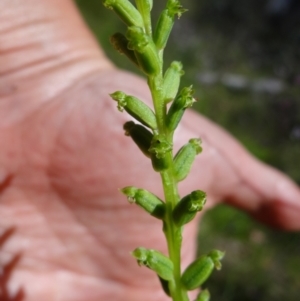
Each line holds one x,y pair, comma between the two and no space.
145,199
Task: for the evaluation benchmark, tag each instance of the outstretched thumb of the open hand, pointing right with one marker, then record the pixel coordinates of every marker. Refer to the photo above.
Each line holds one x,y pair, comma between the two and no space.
267,194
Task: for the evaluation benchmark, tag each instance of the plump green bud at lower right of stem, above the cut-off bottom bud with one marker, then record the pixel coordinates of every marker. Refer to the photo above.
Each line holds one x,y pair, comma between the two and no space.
199,271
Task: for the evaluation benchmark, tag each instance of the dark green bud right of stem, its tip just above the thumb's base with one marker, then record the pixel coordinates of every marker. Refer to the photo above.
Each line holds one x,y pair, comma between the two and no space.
183,101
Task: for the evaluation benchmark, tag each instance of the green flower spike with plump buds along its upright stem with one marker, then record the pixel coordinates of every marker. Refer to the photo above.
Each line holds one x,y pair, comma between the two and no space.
153,134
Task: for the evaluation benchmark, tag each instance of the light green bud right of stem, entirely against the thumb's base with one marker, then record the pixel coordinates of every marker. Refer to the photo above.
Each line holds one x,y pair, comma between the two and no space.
185,157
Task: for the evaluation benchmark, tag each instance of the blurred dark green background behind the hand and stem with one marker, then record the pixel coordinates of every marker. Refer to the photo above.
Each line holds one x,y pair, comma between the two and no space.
243,57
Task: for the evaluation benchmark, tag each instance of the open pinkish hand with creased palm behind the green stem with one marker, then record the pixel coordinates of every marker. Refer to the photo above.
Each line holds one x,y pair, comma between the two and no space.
63,156
